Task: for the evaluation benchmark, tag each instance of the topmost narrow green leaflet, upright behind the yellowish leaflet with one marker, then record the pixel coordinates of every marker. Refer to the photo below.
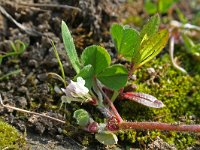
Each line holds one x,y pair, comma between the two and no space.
151,27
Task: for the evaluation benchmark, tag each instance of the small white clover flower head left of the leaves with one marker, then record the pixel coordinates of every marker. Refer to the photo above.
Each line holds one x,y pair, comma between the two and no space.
76,91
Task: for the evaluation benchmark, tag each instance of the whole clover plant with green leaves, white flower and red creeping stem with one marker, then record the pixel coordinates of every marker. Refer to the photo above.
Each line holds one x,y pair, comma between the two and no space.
99,82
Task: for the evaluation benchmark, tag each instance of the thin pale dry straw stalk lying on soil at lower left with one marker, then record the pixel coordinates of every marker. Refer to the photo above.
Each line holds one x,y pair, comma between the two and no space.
29,112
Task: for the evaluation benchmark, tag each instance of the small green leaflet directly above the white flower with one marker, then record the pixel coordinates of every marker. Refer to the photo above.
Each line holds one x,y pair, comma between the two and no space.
87,73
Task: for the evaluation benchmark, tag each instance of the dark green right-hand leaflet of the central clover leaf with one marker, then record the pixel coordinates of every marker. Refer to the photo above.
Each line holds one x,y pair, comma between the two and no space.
114,77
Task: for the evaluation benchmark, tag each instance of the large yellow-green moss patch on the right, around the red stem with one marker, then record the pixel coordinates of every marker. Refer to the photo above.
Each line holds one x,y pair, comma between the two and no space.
180,94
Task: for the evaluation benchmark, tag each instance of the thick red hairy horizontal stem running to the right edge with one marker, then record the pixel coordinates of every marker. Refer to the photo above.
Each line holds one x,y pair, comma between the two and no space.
159,126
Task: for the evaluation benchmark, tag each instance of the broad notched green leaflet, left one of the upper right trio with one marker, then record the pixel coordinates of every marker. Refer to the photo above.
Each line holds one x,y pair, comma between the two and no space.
126,40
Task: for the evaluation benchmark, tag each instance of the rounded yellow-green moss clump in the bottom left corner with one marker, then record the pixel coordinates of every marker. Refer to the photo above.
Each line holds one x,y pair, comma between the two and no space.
10,138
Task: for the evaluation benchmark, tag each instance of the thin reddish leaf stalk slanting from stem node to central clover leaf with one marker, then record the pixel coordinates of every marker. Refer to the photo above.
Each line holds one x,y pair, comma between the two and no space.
110,103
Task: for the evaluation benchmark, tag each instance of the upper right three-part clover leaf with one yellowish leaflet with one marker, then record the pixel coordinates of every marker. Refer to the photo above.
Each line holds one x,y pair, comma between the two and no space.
139,48
